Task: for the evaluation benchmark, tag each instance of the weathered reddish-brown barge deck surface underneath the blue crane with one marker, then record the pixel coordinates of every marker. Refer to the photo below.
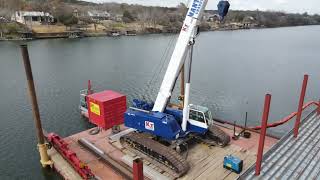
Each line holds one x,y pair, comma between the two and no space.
206,162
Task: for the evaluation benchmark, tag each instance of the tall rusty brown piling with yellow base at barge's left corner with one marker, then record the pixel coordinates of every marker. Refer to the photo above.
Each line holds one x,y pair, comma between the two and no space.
42,147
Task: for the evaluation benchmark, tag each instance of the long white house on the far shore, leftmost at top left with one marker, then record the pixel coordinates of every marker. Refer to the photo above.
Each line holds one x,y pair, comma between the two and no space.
25,17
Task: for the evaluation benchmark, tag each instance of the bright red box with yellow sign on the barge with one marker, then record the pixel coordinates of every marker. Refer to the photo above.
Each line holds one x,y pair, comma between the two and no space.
106,109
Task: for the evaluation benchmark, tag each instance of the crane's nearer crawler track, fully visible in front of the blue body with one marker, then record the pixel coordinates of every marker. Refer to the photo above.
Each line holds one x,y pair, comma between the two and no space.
164,157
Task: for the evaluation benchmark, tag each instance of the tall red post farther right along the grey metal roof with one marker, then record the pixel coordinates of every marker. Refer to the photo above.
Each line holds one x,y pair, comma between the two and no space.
301,101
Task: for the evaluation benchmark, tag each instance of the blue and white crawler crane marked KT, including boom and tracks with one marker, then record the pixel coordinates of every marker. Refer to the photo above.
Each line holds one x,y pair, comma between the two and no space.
163,132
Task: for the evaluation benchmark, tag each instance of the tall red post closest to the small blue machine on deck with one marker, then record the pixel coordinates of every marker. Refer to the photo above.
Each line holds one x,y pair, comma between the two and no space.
263,132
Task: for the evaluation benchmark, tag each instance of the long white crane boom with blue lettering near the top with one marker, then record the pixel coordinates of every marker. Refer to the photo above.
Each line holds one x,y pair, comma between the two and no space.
191,21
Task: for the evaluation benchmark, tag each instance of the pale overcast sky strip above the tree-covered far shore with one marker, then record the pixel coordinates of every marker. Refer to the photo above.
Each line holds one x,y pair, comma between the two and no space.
310,6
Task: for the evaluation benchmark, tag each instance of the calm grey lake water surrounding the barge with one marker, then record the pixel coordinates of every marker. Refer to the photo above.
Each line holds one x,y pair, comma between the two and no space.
232,71
